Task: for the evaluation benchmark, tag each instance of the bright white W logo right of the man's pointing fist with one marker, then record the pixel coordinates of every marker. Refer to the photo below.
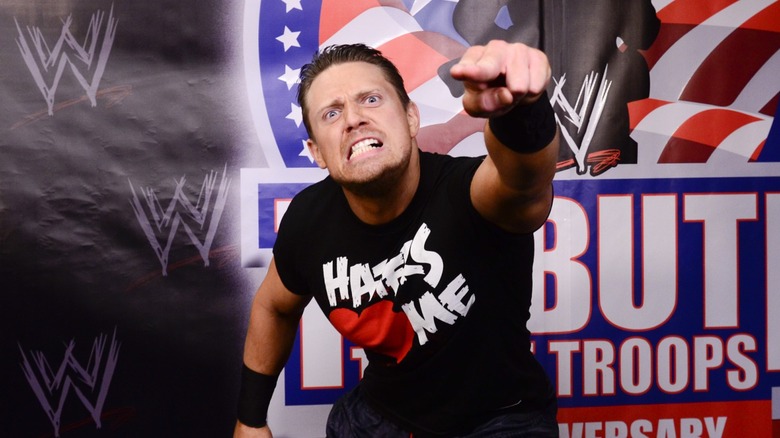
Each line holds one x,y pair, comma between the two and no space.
576,114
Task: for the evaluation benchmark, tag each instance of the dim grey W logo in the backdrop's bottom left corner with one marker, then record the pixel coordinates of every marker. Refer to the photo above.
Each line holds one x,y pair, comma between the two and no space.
90,383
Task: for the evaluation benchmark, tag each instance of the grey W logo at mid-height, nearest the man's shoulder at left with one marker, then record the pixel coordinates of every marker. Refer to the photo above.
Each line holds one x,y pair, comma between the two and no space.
169,218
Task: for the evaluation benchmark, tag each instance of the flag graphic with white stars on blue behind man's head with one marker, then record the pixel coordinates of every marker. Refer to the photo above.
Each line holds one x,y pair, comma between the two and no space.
416,35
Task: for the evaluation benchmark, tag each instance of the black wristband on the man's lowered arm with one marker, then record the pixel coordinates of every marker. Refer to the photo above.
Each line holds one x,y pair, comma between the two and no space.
254,397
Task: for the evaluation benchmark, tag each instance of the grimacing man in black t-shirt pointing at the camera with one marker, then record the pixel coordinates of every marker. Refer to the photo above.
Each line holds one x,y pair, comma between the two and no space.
423,260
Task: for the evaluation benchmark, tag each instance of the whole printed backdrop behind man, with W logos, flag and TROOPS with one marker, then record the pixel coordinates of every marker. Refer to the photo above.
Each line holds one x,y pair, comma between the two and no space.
149,150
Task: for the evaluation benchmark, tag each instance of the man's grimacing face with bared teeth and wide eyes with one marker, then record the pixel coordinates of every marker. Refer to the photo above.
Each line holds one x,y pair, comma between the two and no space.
360,130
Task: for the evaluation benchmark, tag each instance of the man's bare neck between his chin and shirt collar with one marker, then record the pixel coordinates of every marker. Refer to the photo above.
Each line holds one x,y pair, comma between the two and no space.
381,208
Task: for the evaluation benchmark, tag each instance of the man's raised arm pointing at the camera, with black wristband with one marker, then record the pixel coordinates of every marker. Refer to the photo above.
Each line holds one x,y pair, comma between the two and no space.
506,84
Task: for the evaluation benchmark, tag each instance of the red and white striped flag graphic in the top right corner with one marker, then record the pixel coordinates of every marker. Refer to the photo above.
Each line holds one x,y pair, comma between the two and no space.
714,83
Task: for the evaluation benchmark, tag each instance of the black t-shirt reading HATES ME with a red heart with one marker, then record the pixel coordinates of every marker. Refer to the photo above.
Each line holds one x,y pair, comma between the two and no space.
439,298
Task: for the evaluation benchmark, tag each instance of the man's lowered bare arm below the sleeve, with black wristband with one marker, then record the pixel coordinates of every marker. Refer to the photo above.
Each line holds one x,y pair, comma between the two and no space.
273,323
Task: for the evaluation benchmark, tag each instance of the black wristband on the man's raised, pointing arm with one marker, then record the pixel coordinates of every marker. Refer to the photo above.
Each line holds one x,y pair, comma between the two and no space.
526,128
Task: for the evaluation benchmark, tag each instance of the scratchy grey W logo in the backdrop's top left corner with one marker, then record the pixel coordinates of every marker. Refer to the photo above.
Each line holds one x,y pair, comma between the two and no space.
43,61
